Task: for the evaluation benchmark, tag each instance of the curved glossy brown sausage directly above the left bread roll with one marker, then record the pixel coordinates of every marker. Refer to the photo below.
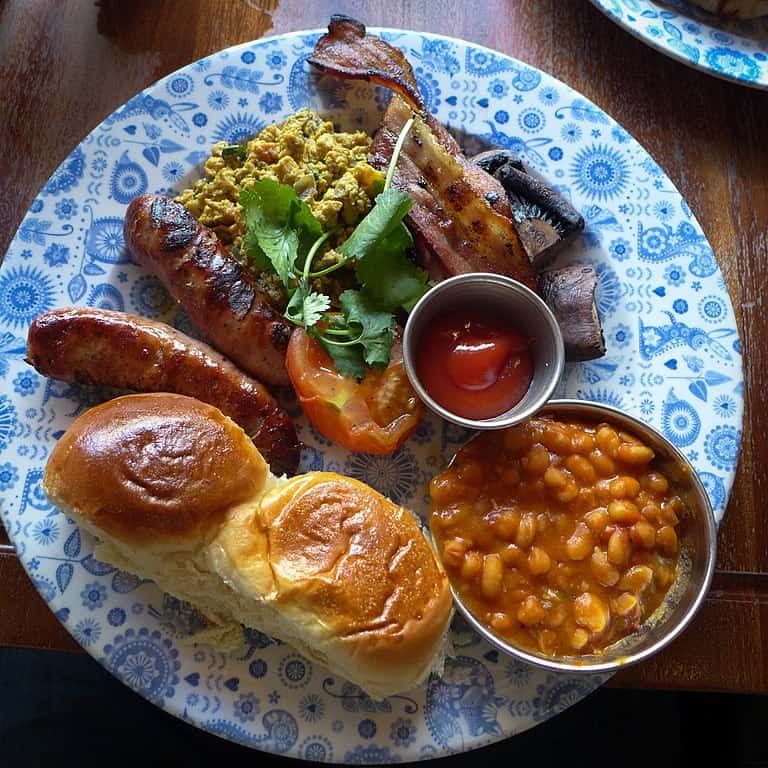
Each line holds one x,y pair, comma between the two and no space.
99,346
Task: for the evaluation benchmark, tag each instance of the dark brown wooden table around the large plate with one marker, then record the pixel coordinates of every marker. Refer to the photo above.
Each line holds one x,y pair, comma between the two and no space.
67,65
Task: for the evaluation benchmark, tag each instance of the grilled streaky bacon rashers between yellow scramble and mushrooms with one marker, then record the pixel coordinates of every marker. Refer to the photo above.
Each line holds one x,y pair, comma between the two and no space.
461,219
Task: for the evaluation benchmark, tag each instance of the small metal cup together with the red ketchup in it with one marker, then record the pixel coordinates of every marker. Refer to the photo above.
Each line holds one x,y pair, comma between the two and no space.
483,351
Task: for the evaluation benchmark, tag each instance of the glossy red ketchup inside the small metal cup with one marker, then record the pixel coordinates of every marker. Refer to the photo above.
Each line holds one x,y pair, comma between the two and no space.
474,363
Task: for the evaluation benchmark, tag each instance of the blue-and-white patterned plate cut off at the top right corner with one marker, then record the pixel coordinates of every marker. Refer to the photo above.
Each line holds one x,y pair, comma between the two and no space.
729,49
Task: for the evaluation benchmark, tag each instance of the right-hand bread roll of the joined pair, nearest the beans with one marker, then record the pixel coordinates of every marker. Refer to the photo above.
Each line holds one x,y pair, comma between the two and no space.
349,575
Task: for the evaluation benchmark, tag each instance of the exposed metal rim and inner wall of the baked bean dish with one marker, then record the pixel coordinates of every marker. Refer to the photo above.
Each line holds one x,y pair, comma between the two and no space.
697,538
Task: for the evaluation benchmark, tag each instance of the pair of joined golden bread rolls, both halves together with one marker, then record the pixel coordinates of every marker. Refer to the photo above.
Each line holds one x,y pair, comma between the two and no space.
176,492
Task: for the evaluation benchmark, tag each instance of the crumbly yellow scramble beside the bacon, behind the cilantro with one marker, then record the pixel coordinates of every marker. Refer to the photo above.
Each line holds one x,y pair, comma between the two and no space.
328,171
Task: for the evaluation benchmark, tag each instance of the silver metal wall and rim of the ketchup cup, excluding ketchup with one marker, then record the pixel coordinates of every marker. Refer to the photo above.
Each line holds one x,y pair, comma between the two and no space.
525,311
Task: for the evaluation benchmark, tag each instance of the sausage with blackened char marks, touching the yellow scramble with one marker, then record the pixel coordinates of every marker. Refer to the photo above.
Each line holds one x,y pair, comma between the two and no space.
231,310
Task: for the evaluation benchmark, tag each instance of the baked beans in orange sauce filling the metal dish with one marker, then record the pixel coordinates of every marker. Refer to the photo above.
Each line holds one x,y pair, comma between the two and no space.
559,536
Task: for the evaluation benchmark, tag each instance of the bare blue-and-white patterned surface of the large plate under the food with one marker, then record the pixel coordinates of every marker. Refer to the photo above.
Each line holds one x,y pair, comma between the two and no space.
673,358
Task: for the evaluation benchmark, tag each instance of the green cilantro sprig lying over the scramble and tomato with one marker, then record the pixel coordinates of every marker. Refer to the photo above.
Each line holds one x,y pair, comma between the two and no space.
283,236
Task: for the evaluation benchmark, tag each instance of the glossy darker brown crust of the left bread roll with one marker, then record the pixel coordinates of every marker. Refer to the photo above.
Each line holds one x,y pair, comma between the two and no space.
159,470
